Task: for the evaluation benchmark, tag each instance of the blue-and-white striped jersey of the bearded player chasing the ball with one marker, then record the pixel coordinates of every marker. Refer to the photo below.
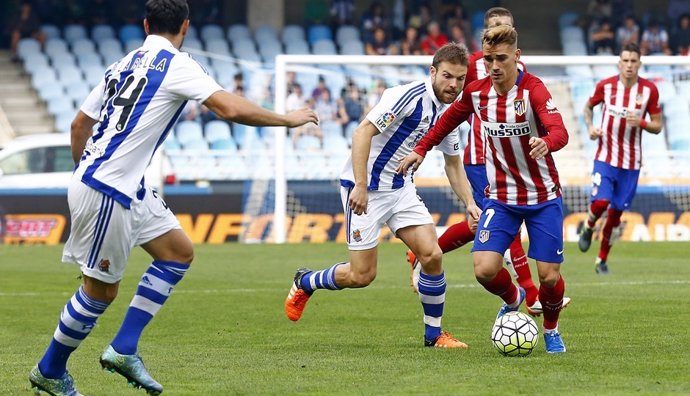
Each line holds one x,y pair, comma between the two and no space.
403,116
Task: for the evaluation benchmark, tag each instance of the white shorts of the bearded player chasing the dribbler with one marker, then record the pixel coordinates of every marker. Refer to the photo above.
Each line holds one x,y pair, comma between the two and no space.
398,209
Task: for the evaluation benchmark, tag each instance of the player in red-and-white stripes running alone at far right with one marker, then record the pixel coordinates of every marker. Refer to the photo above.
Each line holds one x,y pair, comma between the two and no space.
626,99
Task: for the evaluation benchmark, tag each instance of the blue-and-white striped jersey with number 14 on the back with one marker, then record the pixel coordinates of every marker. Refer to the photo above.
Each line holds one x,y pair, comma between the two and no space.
137,103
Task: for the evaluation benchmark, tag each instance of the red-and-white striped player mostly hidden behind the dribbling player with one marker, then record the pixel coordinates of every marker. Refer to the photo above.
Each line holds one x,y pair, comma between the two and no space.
459,234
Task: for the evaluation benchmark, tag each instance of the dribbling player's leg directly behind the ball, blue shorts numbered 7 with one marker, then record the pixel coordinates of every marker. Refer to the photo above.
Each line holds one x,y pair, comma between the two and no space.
496,229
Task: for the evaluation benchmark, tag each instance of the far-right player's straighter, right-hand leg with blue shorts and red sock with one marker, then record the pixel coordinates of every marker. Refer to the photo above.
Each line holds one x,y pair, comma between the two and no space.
623,194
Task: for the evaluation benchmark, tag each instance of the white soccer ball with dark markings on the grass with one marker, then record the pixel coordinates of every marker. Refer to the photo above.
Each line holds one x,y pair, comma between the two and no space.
515,334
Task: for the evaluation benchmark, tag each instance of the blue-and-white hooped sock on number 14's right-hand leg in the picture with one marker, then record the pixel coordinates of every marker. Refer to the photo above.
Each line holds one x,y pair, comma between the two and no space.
154,289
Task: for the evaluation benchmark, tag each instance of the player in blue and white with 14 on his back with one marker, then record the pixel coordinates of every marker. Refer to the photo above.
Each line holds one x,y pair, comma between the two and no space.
113,210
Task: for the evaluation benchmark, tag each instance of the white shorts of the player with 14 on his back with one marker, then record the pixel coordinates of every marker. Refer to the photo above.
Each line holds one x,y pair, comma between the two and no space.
104,232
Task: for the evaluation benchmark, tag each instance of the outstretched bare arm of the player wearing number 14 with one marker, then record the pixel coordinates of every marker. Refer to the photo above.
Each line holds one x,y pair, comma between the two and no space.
235,108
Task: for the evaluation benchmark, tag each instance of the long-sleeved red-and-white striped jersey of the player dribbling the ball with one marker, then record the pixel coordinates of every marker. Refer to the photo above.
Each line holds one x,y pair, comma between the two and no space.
508,122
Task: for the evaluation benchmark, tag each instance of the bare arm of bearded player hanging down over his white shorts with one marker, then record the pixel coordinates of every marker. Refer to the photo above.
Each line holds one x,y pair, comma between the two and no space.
361,145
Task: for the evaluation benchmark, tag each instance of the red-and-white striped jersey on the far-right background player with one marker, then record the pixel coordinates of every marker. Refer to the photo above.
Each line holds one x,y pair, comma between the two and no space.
621,144
